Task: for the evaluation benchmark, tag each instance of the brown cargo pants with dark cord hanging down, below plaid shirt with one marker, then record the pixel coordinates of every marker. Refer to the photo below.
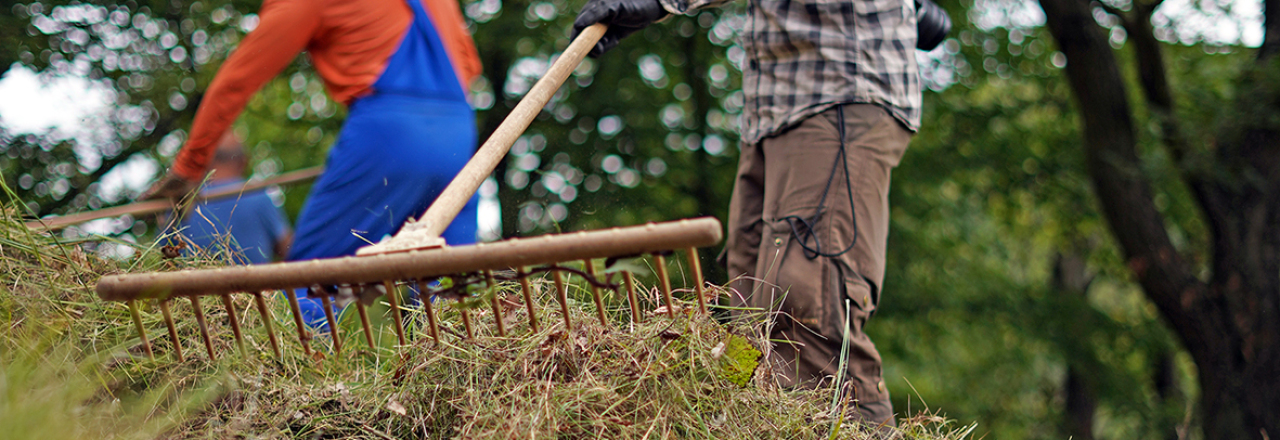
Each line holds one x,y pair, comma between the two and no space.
790,221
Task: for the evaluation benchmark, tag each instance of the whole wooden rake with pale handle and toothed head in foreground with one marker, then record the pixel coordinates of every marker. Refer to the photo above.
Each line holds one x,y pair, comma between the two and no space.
418,256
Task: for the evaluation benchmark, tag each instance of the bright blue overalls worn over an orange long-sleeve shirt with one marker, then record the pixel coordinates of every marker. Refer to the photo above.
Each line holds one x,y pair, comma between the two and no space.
397,152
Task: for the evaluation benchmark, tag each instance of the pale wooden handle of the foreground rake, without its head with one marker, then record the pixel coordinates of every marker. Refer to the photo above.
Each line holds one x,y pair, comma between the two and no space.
427,230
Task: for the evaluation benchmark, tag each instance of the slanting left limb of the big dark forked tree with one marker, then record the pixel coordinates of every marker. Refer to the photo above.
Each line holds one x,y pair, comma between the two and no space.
1113,163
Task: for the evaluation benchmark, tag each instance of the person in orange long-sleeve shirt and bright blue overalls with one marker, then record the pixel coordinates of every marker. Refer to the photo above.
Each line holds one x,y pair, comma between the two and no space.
403,68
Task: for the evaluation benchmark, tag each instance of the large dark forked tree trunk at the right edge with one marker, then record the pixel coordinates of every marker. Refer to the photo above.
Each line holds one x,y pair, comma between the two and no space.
1231,326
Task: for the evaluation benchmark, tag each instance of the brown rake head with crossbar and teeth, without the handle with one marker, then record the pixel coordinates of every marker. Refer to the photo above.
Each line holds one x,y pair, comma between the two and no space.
360,281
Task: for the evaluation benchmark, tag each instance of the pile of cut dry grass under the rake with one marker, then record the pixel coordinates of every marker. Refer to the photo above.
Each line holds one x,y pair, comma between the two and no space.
684,378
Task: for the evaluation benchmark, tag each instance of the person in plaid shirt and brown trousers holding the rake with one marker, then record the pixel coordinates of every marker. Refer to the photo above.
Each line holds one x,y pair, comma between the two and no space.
833,95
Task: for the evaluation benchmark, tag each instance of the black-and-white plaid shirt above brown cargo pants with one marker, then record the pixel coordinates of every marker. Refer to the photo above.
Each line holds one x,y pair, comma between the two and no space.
806,57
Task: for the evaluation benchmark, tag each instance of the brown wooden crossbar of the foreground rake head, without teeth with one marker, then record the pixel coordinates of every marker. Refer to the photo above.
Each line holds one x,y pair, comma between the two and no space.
415,265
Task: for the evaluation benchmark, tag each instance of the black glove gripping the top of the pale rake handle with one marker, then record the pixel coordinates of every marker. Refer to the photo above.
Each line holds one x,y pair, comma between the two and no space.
624,19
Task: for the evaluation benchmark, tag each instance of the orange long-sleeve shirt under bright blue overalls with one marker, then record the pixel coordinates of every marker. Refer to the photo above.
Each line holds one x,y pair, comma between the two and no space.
349,43
